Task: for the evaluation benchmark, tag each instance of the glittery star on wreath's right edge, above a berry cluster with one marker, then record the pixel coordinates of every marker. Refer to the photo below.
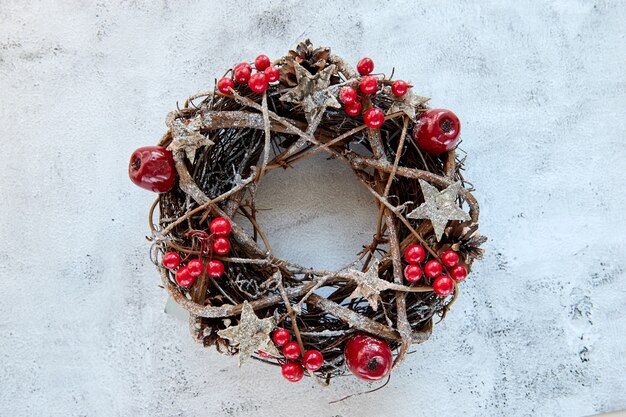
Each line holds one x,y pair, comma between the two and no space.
439,207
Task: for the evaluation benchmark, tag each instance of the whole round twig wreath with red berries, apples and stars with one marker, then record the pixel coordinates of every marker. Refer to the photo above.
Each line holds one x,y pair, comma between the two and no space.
246,301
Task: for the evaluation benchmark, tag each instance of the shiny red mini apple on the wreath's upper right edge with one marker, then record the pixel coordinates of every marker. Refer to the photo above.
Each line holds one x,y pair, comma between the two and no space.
437,131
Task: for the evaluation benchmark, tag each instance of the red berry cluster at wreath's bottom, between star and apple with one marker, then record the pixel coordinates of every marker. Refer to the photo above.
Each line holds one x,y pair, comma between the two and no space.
294,371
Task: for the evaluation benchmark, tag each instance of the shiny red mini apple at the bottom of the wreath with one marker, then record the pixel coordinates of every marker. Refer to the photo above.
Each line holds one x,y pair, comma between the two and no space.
368,358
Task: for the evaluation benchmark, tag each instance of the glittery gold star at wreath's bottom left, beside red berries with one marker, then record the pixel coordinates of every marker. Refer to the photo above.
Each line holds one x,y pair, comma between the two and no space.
252,334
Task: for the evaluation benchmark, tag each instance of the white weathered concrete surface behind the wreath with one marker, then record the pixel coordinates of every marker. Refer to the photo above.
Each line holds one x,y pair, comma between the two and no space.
540,88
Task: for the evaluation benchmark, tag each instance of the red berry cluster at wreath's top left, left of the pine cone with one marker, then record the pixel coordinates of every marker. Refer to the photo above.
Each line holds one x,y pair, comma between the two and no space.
242,74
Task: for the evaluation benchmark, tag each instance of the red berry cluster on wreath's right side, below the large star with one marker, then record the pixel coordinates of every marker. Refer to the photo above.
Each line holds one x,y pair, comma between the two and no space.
443,285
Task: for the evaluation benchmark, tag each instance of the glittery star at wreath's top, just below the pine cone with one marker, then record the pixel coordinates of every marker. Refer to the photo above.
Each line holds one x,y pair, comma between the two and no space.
312,91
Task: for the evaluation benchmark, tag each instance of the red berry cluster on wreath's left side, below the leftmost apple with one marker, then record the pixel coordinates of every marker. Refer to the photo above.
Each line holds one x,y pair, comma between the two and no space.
186,275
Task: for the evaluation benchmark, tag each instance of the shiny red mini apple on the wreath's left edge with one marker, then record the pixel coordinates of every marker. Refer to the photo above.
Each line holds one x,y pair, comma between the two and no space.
152,168
